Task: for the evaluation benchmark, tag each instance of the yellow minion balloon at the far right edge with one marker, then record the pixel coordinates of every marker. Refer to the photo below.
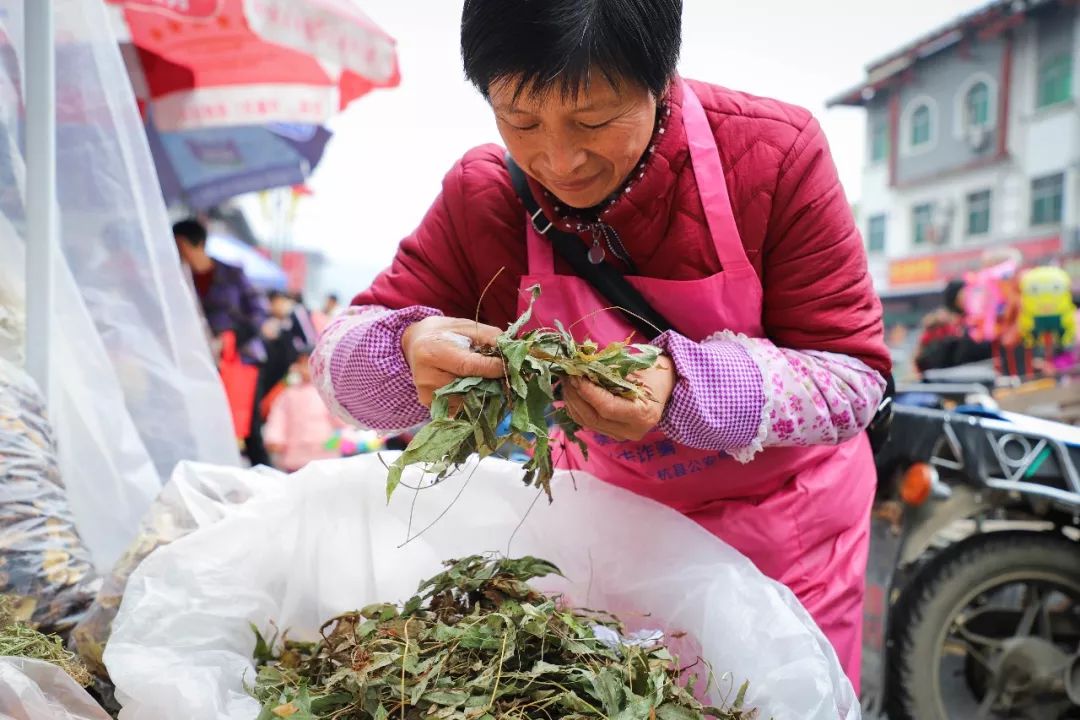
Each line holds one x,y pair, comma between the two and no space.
1046,307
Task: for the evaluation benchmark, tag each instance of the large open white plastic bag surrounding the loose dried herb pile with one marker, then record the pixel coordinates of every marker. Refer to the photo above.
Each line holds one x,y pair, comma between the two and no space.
323,541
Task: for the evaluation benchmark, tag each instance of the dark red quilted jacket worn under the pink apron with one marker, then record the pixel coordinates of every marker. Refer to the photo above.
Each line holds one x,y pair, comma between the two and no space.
794,220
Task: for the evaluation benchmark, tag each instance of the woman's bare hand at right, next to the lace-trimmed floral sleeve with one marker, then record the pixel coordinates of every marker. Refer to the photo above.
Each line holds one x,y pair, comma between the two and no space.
597,410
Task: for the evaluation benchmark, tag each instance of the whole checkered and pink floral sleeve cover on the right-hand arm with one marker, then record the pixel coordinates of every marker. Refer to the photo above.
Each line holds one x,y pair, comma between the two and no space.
740,396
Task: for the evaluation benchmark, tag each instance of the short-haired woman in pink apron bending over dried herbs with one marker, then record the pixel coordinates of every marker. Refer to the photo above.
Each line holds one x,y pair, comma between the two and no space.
725,212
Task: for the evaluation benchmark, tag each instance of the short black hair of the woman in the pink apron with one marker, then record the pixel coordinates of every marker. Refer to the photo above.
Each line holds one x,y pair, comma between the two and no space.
557,44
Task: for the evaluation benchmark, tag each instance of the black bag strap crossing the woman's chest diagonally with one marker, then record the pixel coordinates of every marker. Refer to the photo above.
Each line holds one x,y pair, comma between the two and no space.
603,277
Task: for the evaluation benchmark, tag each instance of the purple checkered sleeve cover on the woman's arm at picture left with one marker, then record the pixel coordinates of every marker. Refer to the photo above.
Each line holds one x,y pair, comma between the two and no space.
361,371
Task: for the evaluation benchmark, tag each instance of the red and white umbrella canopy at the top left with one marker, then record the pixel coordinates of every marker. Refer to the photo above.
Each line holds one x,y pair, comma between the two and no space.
251,62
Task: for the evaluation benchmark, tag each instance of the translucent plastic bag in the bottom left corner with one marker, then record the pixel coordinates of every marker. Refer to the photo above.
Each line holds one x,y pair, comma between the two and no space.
35,690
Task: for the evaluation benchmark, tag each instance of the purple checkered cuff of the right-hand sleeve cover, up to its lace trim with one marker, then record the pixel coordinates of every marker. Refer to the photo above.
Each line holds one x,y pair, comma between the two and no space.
719,399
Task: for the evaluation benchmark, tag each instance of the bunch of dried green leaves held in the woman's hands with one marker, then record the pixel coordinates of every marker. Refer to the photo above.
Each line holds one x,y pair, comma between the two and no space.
467,414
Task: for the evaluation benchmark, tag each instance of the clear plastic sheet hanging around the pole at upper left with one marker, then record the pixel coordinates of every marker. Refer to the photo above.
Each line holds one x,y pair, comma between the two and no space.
134,388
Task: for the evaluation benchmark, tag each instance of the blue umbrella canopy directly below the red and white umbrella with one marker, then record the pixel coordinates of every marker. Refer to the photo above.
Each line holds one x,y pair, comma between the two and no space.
202,168
